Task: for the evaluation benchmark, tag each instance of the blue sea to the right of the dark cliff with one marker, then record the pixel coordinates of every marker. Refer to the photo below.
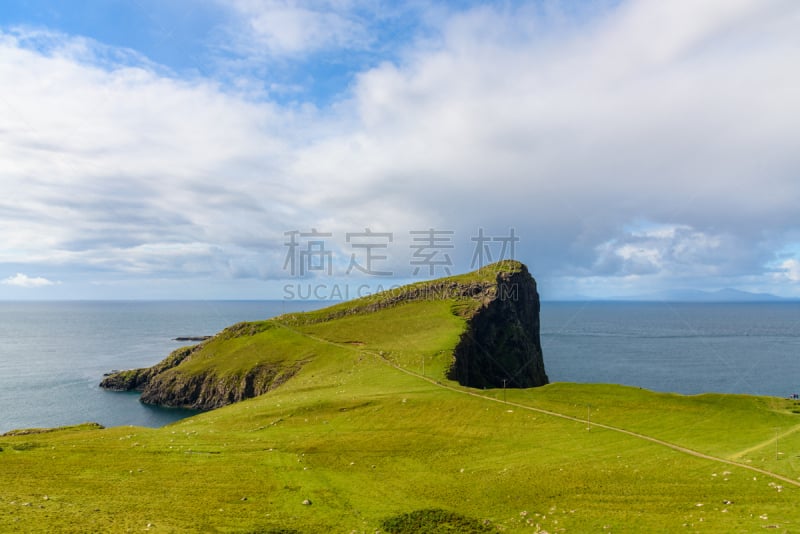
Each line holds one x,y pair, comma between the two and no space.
751,348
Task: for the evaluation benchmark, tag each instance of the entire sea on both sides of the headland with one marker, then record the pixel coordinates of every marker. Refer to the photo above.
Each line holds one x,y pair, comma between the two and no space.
53,354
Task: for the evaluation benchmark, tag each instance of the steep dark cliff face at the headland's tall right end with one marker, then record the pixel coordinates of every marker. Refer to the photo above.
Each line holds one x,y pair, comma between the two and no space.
501,343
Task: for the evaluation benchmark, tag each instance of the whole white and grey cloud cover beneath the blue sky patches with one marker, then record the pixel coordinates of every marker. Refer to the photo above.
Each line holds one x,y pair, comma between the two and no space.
679,113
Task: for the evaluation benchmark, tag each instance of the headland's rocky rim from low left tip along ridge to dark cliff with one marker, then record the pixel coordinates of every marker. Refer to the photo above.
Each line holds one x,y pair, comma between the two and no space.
499,346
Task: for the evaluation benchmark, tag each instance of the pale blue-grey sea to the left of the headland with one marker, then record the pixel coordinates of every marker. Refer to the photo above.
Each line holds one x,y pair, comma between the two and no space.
53,355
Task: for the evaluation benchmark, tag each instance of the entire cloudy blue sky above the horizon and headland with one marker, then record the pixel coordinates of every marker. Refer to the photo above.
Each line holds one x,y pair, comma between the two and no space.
268,149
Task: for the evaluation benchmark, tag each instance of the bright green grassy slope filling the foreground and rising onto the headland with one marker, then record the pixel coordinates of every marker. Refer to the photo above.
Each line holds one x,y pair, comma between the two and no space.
361,439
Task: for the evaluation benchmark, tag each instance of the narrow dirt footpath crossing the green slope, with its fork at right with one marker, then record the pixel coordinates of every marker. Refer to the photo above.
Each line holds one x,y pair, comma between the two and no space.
673,446
